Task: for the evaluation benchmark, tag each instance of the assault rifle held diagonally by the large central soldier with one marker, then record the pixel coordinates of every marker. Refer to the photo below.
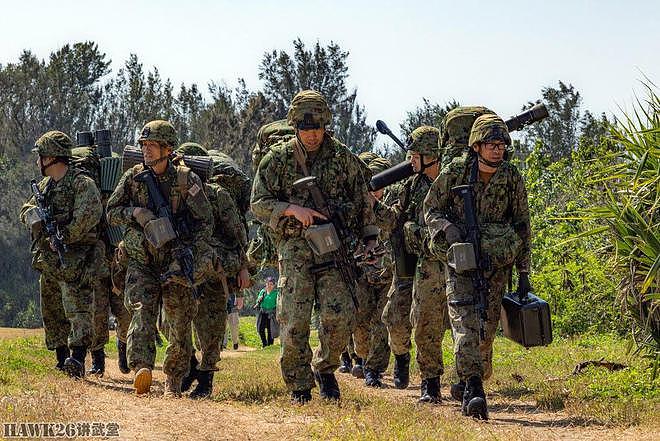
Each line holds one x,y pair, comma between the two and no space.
343,261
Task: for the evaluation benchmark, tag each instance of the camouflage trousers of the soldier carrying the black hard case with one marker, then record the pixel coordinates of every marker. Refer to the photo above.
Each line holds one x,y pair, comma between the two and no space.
474,357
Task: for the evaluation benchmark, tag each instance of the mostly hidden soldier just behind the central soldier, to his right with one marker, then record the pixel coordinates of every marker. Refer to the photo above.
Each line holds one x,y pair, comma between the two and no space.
370,333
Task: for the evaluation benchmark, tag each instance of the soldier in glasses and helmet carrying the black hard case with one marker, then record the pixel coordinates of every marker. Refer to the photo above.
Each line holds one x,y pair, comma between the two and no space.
503,216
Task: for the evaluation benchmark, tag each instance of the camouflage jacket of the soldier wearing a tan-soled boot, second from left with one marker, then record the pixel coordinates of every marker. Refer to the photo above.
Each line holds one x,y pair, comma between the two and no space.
193,204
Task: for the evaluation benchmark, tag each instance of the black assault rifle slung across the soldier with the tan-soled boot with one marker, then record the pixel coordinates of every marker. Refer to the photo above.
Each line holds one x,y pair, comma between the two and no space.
161,207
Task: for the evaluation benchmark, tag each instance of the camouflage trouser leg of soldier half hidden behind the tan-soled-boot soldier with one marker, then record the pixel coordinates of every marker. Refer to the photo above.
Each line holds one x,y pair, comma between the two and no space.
210,323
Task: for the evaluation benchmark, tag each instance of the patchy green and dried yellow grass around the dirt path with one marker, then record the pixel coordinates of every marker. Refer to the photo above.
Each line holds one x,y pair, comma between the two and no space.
540,377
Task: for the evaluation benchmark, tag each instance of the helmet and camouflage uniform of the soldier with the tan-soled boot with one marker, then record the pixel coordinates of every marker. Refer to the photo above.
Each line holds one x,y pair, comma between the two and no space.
144,289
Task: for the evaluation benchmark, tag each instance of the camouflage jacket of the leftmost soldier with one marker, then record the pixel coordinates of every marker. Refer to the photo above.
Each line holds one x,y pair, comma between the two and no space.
75,203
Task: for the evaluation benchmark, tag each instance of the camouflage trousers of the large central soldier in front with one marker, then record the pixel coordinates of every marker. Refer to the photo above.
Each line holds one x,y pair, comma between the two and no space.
299,290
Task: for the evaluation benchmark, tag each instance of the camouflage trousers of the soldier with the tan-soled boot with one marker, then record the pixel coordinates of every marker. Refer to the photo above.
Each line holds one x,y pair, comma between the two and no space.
142,296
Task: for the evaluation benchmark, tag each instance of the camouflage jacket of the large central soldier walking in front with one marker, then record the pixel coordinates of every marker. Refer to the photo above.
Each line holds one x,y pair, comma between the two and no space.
340,178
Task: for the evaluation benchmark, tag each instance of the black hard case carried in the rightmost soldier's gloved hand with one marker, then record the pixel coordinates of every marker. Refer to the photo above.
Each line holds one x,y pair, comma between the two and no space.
526,321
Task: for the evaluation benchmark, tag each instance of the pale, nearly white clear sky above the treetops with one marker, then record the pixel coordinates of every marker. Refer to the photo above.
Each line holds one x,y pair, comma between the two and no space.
499,54
